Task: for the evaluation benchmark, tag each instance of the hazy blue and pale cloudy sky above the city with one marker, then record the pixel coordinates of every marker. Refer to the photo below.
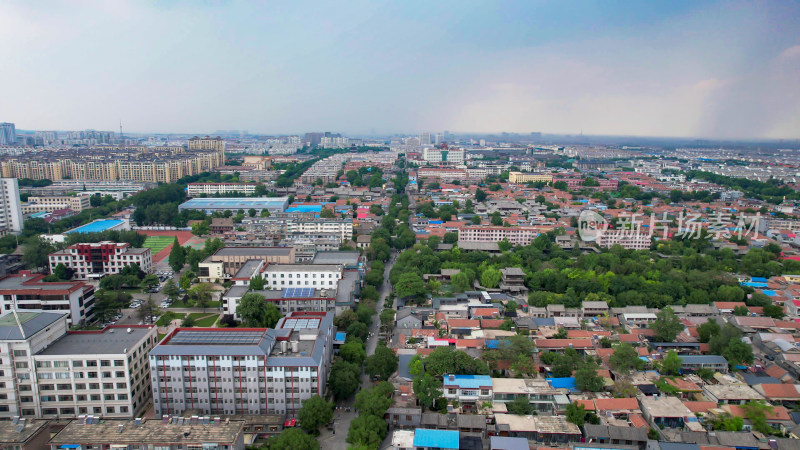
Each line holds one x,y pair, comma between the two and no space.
676,69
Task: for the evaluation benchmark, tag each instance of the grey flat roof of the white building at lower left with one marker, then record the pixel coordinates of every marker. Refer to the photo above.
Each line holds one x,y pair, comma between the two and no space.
111,340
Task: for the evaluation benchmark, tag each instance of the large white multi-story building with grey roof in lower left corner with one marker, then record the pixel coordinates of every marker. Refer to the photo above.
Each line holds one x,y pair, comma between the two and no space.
49,372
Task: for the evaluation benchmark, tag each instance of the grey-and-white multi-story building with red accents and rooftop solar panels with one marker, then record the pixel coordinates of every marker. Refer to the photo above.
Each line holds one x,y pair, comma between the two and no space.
251,371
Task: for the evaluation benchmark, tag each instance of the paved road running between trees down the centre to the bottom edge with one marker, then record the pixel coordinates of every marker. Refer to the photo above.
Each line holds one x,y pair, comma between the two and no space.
341,417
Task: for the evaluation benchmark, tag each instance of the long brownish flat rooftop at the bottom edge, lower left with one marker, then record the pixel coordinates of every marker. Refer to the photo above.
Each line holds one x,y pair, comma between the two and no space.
151,432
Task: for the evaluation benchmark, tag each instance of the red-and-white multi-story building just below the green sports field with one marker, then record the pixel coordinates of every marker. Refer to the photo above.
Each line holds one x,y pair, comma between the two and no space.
97,259
